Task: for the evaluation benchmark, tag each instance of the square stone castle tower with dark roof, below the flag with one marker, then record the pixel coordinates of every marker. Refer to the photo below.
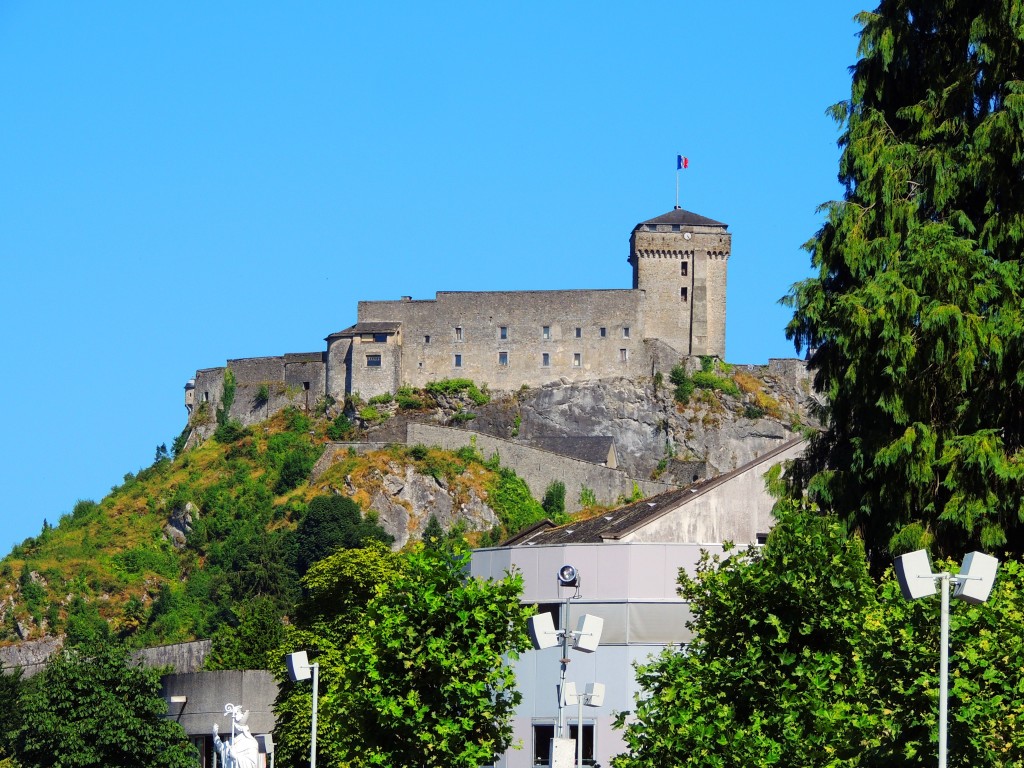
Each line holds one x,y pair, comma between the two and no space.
679,262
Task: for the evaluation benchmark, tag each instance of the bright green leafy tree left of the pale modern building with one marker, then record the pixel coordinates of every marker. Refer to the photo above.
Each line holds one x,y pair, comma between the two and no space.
414,664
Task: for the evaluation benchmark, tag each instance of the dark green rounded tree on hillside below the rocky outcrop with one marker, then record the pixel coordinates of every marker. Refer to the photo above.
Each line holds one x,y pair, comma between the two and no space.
334,522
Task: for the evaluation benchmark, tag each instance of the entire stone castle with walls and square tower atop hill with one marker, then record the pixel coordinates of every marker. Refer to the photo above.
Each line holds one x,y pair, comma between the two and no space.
507,340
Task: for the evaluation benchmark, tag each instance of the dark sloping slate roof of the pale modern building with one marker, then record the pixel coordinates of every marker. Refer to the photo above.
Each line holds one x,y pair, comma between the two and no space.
619,523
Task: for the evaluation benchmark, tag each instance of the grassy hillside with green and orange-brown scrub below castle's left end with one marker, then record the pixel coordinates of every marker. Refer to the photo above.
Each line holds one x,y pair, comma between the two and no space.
110,568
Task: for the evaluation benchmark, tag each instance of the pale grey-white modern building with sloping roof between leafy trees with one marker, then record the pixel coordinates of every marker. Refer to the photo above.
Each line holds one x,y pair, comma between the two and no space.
629,562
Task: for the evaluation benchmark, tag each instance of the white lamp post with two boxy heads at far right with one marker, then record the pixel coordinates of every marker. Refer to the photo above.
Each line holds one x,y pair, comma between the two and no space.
972,585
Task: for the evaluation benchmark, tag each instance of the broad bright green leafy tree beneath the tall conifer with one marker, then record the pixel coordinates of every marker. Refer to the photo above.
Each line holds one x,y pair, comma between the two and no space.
799,659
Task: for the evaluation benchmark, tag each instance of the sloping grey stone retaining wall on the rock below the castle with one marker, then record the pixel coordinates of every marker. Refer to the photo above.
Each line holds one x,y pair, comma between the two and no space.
539,468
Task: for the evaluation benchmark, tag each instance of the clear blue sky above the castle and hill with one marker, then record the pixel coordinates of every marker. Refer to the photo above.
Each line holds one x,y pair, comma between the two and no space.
184,184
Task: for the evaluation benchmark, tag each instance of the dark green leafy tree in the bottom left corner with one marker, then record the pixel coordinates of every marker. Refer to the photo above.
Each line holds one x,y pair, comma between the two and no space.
94,707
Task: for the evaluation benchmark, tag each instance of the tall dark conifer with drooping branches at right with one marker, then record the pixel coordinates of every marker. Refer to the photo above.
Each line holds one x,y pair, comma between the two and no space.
915,318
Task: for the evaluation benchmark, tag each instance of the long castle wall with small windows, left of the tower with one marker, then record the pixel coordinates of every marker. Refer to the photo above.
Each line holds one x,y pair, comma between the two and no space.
460,335
